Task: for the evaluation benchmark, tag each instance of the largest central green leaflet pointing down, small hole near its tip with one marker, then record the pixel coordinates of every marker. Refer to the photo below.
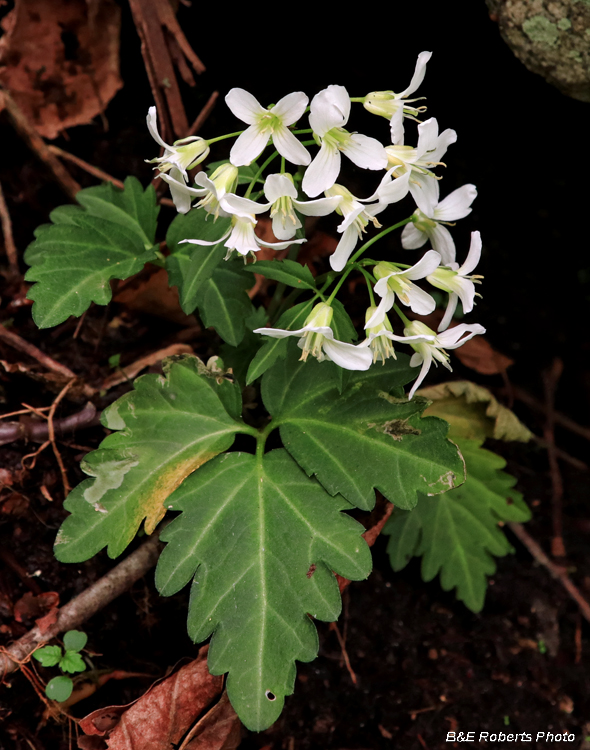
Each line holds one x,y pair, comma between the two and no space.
250,532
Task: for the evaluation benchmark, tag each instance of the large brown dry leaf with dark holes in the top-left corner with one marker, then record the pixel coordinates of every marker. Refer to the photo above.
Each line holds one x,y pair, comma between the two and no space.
60,60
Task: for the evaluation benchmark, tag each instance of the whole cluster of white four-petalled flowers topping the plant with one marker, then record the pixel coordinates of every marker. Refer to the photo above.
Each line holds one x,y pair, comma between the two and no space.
313,189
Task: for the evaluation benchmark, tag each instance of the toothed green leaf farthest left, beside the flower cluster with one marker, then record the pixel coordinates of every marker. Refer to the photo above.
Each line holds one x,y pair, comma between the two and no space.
74,259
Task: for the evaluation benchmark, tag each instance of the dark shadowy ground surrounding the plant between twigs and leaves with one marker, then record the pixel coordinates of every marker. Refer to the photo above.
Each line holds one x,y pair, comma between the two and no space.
425,665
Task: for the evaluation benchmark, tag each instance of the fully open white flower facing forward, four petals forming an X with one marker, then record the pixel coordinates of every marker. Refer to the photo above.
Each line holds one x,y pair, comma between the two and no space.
267,123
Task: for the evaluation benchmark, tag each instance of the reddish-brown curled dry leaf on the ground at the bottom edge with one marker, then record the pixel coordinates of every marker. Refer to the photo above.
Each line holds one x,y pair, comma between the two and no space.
163,715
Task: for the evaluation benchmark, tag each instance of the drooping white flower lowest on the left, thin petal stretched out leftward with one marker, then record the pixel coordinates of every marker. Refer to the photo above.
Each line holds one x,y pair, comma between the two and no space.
317,339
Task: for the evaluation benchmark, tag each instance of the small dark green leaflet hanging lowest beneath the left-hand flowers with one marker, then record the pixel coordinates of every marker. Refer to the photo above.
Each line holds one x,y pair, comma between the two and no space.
223,302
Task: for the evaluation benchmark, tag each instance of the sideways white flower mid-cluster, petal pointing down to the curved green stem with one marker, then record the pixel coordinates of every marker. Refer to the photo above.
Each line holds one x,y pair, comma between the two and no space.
357,216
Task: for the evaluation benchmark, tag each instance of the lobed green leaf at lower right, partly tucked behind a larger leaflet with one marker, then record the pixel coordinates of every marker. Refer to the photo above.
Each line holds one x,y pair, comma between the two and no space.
457,533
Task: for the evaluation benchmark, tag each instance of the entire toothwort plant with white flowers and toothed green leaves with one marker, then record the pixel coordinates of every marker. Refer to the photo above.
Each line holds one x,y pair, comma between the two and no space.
261,534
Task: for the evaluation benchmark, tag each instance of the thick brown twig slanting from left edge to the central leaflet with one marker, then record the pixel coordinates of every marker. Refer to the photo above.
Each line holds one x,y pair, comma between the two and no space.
83,606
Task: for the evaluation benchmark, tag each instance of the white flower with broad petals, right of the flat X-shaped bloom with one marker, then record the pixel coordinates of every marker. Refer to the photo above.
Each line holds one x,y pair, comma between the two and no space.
330,110
